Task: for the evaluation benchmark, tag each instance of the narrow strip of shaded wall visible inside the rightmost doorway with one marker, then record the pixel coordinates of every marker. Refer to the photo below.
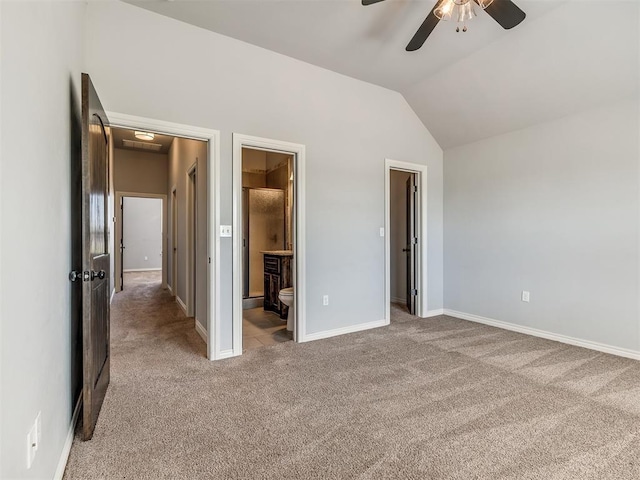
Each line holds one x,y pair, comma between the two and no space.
398,240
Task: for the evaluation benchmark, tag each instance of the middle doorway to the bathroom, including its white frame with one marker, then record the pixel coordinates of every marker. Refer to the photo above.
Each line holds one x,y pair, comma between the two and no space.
268,273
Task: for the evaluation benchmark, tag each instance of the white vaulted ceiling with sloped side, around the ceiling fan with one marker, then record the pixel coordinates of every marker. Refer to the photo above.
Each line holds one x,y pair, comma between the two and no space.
566,57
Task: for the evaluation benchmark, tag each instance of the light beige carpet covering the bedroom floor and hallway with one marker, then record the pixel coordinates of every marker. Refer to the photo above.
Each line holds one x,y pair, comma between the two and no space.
438,398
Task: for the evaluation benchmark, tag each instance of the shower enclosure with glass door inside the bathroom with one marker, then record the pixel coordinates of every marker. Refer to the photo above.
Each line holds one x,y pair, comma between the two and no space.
263,230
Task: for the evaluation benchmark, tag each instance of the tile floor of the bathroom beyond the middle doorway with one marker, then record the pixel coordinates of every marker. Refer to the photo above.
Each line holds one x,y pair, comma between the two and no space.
260,328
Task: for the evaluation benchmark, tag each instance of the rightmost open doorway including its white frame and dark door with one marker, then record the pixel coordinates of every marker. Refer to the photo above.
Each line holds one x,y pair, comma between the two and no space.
406,238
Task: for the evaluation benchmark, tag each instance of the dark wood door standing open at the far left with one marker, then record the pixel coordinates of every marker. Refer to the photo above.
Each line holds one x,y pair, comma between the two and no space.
95,257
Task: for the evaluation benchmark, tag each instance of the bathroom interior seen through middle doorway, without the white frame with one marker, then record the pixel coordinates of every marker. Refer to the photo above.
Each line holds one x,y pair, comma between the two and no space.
267,247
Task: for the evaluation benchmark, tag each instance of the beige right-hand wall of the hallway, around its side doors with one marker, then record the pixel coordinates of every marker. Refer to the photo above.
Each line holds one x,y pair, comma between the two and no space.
183,154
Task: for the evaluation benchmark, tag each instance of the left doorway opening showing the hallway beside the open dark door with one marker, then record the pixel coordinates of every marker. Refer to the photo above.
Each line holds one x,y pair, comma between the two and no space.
161,204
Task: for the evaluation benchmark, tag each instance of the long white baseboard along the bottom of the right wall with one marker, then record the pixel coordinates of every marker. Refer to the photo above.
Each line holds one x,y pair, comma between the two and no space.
600,347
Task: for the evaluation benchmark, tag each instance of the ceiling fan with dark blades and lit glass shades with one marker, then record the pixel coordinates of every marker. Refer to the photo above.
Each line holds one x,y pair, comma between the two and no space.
505,12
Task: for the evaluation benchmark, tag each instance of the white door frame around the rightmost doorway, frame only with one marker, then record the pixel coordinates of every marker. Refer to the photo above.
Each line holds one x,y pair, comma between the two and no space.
420,172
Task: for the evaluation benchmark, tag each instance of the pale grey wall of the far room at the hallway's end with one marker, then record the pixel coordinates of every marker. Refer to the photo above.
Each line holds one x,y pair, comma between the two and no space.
142,235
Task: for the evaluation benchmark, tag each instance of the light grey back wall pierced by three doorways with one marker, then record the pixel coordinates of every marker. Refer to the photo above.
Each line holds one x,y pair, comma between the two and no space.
348,126
